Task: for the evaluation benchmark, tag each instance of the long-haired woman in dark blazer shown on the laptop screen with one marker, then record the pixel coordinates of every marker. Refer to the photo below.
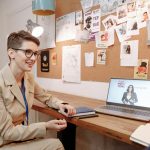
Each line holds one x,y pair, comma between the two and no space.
130,96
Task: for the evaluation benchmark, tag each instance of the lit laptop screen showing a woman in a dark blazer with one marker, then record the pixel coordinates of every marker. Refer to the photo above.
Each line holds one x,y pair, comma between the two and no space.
131,92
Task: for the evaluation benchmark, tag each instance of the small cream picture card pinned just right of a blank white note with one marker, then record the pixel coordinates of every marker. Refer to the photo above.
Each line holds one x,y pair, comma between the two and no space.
101,56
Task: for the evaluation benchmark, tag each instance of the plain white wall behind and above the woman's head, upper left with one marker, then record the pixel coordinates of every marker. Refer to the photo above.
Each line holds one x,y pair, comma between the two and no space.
9,9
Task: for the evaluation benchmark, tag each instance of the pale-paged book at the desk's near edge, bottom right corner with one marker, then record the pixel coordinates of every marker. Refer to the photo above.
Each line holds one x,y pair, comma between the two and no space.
141,135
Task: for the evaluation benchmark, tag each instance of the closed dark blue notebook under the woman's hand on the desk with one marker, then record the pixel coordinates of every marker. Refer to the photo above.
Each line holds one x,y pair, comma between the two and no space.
80,111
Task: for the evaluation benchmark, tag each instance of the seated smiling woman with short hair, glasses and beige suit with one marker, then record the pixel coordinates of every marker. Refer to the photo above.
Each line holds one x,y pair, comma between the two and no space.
17,92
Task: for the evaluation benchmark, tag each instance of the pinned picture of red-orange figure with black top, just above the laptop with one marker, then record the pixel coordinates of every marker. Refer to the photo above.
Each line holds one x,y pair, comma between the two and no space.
141,71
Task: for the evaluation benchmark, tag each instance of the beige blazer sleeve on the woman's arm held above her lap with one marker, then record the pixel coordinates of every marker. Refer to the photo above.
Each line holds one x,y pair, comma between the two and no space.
20,132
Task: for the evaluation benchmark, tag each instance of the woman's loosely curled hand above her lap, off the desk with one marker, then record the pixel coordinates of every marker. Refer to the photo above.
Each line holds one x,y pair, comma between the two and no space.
56,125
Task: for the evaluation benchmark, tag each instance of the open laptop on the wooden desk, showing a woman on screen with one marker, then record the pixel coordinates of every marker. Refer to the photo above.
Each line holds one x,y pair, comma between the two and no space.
128,98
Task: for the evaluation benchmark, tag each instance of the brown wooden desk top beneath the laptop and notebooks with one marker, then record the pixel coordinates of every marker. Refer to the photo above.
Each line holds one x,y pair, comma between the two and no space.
114,127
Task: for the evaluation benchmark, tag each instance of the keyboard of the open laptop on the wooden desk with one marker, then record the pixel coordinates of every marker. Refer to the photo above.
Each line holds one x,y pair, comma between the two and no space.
131,111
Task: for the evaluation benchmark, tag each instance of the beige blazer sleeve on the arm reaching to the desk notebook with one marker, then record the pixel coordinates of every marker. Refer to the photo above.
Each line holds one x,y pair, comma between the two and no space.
45,97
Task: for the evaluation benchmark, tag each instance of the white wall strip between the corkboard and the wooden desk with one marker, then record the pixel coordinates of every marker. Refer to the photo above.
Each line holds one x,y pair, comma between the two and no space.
96,90
